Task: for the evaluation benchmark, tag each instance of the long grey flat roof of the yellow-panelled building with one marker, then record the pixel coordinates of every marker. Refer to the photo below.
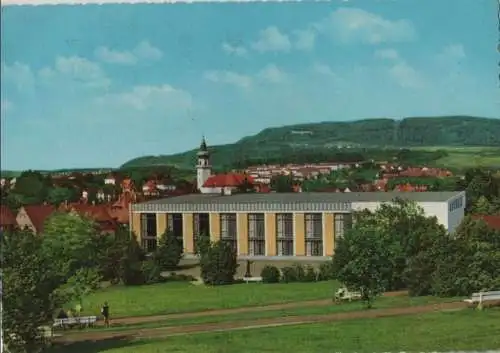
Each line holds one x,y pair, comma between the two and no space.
282,202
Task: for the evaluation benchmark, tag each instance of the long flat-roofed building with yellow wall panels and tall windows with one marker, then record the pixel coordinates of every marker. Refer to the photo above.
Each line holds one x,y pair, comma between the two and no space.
275,225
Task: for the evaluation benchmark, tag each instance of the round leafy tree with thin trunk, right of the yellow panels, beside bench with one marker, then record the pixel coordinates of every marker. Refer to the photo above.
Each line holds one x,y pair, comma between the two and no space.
362,258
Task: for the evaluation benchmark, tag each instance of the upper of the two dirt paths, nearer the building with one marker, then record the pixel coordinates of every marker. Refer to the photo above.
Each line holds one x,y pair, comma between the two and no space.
270,307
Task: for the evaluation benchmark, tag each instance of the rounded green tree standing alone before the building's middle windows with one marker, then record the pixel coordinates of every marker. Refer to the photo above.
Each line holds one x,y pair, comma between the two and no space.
218,263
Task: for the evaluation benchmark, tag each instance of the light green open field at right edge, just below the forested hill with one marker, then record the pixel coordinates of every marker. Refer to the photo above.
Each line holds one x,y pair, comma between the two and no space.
466,157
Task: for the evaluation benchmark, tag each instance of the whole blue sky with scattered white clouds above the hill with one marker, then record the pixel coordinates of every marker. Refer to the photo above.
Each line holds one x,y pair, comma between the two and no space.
92,86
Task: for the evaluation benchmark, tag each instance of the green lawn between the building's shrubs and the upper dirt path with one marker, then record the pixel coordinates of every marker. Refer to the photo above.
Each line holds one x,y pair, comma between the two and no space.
176,297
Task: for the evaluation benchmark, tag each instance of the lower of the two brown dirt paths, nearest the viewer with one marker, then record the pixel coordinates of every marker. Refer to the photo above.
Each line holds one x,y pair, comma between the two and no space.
257,323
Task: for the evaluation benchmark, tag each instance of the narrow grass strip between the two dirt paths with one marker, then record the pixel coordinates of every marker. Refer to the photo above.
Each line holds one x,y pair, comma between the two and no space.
381,303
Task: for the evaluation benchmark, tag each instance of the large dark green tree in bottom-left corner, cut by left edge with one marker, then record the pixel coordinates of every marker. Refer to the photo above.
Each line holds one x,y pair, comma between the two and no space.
29,290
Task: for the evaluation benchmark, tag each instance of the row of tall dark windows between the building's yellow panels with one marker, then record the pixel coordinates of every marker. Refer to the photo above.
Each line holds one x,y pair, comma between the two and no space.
256,231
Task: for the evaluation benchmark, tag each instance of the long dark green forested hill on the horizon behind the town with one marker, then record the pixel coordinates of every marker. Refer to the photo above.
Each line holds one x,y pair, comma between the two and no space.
334,137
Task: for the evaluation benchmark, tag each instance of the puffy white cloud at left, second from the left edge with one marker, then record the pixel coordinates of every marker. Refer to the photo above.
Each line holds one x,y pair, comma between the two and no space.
75,69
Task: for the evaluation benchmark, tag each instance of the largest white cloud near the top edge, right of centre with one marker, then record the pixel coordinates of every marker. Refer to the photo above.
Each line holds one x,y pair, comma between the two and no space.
350,25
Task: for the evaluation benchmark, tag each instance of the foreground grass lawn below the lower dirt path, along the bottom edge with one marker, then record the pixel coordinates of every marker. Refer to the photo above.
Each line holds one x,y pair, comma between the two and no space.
445,331
